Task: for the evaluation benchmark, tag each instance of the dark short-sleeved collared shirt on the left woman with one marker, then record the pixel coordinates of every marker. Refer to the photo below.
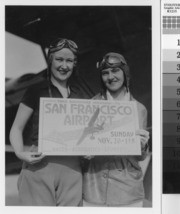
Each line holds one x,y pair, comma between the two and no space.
31,99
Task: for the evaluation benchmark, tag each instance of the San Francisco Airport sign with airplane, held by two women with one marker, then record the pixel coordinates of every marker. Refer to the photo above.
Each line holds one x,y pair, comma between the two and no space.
88,127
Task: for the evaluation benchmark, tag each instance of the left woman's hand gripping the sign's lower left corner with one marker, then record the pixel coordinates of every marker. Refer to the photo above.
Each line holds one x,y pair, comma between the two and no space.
30,157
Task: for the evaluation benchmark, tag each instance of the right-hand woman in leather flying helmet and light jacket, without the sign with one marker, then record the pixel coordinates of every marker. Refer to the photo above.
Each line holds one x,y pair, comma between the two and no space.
116,180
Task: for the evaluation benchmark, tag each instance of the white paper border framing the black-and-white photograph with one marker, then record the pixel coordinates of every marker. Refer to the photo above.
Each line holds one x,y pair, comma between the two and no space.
156,138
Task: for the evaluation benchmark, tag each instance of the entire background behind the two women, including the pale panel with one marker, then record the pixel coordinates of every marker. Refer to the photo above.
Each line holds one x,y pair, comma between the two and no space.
97,30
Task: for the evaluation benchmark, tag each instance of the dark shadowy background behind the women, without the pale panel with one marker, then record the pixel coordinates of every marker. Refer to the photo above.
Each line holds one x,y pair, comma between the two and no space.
97,30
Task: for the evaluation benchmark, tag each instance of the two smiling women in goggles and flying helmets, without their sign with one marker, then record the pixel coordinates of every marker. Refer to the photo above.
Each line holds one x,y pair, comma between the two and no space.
57,180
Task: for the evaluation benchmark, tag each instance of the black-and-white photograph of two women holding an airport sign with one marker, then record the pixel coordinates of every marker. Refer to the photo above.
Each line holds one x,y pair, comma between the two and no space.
79,105
